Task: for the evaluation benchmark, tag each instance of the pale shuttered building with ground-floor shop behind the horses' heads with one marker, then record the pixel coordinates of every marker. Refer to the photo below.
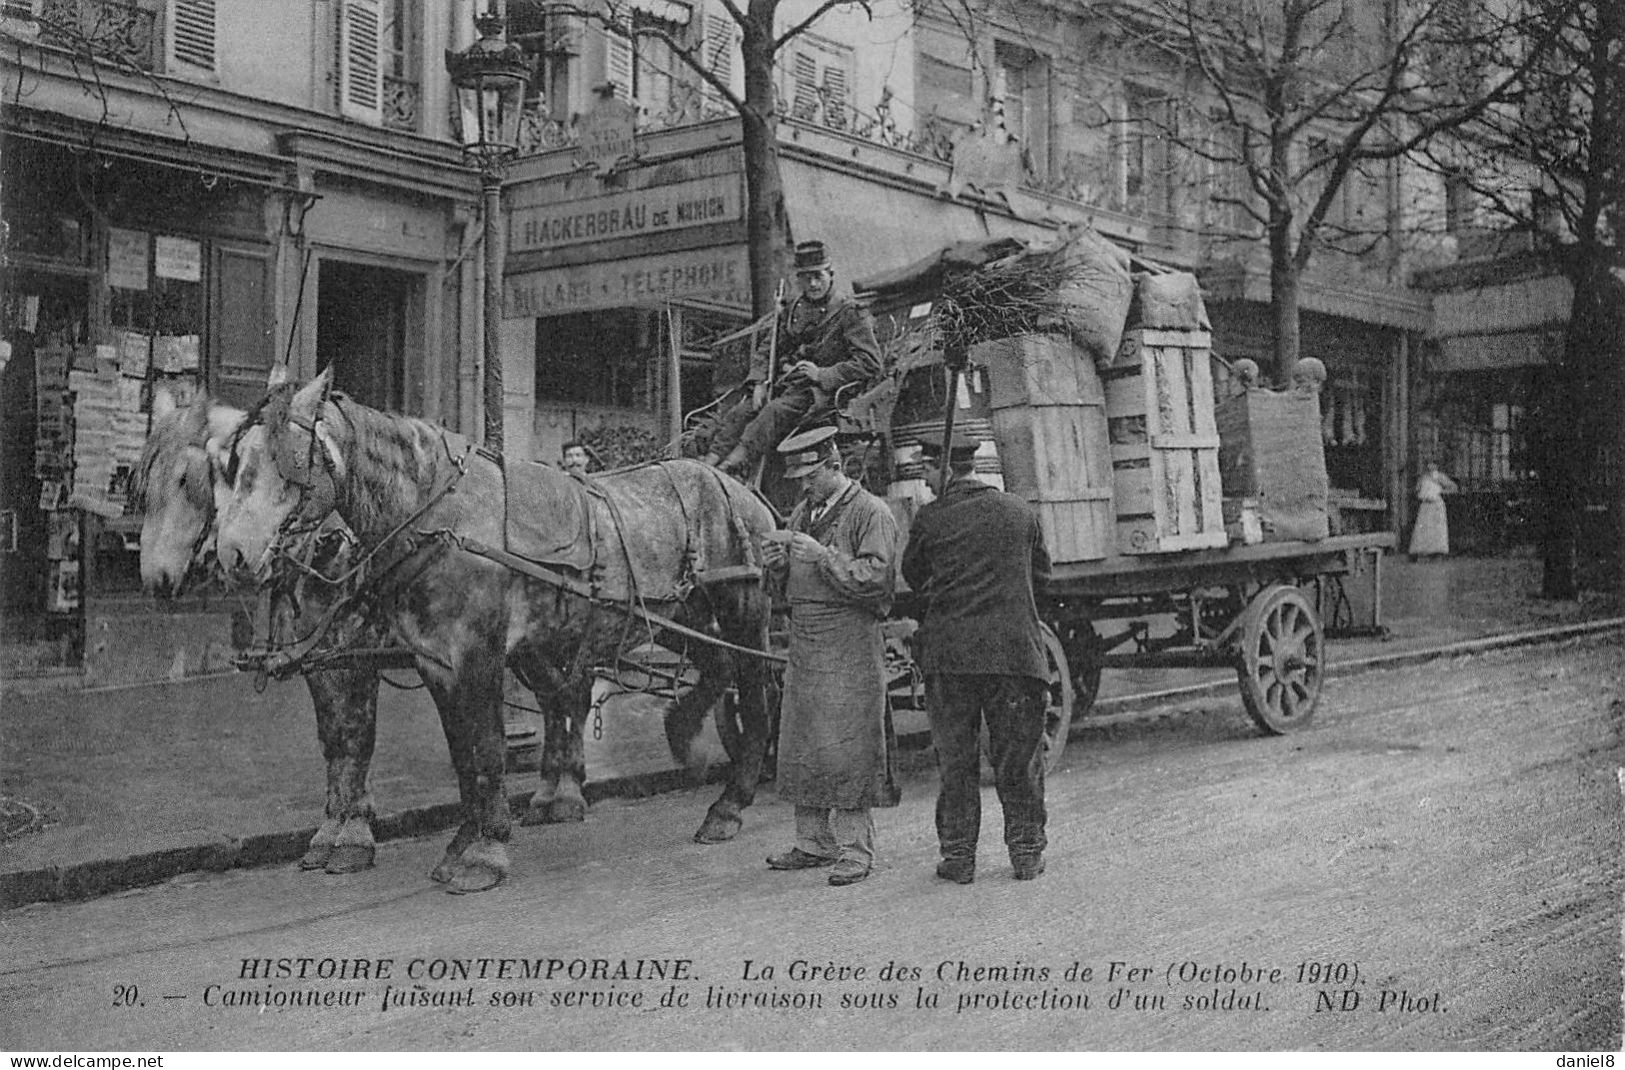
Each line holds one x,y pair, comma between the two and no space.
194,191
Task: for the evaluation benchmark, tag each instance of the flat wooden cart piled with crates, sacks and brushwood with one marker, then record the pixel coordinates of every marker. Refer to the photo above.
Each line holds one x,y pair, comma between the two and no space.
1187,523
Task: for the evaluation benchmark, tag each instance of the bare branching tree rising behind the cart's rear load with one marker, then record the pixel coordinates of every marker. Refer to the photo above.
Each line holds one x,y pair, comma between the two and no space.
1309,97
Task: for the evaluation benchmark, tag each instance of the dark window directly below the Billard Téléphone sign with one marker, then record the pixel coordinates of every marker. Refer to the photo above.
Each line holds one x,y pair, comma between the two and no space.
597,359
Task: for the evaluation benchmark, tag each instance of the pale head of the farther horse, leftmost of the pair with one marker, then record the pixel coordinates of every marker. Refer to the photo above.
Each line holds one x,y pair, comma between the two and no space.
176,485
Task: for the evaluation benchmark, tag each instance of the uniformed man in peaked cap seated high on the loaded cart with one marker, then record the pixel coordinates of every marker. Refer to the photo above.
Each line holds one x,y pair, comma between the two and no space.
826,341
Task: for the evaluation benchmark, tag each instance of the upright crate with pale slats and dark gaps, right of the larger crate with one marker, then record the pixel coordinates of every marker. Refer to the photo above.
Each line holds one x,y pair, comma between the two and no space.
1164,443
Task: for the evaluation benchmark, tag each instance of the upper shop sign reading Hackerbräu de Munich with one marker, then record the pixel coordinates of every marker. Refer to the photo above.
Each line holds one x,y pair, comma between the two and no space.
628,214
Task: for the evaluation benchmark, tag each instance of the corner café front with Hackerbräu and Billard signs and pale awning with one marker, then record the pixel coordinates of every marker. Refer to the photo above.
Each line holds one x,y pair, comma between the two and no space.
618,284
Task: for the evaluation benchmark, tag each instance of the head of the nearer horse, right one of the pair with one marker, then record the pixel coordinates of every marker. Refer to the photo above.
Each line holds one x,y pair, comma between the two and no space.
282,476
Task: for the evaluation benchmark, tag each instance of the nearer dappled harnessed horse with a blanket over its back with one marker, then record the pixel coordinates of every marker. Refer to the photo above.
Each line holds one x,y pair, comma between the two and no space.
643,554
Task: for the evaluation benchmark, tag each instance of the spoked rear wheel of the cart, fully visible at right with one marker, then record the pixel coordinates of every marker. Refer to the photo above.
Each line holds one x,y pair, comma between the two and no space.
1281,659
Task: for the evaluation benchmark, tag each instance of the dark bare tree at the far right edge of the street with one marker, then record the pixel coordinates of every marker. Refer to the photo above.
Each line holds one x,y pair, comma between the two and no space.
1553,167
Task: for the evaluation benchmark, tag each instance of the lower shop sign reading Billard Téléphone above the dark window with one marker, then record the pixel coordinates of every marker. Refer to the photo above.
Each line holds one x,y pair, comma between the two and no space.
717,276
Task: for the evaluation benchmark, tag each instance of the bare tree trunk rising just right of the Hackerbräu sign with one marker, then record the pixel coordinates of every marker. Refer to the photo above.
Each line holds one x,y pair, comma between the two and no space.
768,220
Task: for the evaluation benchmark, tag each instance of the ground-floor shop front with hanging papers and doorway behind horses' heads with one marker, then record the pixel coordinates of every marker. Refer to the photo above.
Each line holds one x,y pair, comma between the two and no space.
137,276
